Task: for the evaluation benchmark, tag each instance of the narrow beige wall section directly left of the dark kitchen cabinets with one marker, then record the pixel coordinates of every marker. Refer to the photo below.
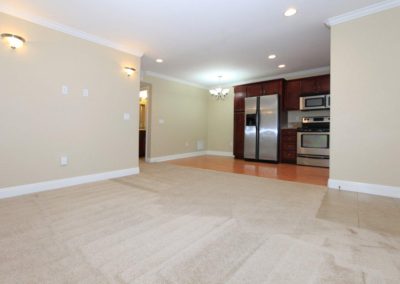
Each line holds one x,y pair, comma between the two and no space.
220,124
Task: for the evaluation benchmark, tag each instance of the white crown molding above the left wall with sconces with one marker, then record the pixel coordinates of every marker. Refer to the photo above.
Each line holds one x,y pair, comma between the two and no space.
68,30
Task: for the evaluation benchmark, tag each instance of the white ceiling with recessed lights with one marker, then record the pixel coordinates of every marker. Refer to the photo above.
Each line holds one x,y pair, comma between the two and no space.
202,39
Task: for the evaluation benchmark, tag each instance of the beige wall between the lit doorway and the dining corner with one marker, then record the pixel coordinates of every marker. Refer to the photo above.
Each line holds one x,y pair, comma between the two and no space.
183,109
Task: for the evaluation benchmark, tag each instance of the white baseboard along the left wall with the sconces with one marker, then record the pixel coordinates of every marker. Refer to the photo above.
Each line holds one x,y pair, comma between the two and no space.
60,183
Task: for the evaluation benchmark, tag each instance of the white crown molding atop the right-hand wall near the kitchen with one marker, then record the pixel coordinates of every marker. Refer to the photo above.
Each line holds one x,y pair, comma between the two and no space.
359,13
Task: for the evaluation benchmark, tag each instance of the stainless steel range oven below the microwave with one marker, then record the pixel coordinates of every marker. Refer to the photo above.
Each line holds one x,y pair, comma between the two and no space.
313,142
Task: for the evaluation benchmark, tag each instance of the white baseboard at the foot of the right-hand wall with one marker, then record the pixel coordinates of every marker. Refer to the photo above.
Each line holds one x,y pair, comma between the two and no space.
376,189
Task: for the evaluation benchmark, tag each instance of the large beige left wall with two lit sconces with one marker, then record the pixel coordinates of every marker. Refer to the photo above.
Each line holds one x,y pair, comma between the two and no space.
38,124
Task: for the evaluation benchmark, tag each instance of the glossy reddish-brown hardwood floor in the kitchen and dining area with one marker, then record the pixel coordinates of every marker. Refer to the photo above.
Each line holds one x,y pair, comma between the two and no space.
303,174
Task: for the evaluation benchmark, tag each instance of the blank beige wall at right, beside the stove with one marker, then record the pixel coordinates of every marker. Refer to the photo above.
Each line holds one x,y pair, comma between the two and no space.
366,100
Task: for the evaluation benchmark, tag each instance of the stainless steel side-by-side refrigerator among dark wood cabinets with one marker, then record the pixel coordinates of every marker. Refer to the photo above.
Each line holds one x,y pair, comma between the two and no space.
262,128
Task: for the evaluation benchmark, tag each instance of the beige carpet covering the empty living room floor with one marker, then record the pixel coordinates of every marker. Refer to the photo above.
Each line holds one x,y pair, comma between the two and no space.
173,224
